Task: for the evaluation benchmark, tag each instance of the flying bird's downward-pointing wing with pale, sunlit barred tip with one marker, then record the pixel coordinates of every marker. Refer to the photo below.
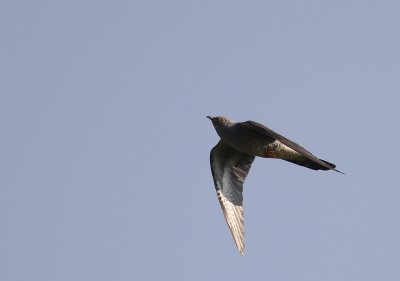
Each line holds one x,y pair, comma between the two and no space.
229,169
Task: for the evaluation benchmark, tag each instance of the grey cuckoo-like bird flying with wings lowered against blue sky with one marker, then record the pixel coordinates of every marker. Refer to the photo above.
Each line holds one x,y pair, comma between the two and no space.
232,157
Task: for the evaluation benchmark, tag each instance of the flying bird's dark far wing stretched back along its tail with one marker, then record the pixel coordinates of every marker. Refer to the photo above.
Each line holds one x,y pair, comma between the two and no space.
296,147
